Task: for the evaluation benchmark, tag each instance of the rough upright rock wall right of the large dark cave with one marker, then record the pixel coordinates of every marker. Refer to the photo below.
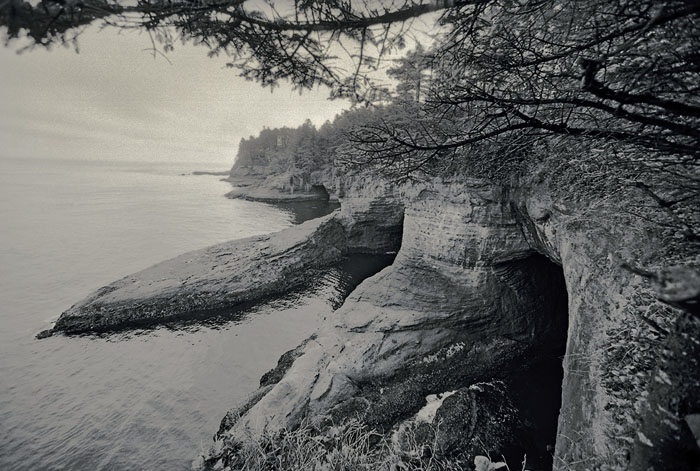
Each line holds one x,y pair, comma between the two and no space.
616,327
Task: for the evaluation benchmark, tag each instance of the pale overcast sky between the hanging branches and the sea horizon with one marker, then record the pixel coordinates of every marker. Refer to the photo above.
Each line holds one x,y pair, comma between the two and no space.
113,100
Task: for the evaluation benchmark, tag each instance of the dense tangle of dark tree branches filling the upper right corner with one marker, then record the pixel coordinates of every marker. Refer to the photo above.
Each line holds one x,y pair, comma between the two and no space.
616,71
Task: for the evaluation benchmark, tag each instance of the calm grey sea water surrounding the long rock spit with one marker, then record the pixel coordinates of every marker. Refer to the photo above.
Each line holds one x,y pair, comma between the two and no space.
148,399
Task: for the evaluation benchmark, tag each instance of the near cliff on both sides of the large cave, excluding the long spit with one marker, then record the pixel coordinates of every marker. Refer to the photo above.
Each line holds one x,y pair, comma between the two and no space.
489,281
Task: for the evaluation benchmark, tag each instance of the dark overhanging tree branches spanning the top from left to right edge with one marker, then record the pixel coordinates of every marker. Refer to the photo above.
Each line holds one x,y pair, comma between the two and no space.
621,70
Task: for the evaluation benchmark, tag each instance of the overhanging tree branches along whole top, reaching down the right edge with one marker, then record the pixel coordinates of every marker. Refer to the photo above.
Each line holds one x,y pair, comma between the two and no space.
503,82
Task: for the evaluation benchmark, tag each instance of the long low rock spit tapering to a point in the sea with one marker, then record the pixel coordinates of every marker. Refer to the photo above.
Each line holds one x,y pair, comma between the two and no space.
233,274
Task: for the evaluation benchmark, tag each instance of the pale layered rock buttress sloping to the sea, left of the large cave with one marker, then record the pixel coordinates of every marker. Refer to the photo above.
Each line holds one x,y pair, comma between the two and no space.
467,299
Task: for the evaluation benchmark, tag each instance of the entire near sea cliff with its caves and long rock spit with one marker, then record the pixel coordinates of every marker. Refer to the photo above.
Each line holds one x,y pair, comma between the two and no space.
497,288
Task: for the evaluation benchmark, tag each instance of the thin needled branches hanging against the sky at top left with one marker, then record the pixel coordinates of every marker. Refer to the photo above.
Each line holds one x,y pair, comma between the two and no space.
308,42
